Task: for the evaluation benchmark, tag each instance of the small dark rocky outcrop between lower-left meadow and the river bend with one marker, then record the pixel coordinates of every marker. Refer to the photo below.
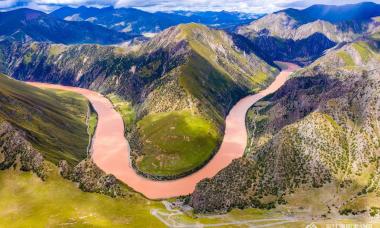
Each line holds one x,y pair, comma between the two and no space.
90,178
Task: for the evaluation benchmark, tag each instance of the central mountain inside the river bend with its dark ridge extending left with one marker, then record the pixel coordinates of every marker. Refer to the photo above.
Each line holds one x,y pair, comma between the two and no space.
187,77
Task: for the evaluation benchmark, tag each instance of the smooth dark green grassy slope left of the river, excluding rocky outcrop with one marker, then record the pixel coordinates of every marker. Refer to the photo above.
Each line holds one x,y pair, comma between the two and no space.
54,121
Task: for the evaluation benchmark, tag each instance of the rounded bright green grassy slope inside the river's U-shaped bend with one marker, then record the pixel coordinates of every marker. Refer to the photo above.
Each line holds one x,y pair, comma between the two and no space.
175,143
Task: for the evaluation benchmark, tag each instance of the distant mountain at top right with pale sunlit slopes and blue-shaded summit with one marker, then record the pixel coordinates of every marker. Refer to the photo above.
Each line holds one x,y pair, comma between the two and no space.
294,24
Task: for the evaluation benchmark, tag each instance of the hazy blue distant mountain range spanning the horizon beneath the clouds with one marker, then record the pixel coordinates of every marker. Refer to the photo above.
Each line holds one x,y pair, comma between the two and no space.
116,25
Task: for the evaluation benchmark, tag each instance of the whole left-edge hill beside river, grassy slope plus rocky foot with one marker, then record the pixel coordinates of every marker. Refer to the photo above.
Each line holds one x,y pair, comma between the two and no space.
50,125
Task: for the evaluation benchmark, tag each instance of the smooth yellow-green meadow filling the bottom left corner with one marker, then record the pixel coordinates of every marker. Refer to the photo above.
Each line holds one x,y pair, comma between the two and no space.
26,201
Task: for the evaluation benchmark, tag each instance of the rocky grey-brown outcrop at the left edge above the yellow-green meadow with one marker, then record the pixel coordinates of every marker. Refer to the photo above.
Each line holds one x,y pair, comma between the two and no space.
17,152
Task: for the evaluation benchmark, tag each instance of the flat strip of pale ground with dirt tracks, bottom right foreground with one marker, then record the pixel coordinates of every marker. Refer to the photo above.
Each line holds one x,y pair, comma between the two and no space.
286,217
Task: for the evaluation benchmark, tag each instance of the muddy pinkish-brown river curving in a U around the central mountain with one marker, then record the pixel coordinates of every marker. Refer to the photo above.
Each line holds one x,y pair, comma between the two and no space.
110,149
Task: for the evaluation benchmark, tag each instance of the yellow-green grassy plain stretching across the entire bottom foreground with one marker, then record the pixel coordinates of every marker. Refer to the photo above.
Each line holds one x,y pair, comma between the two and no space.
28,201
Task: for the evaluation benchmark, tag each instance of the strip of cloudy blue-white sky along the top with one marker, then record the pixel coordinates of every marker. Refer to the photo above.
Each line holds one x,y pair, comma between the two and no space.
249,6
